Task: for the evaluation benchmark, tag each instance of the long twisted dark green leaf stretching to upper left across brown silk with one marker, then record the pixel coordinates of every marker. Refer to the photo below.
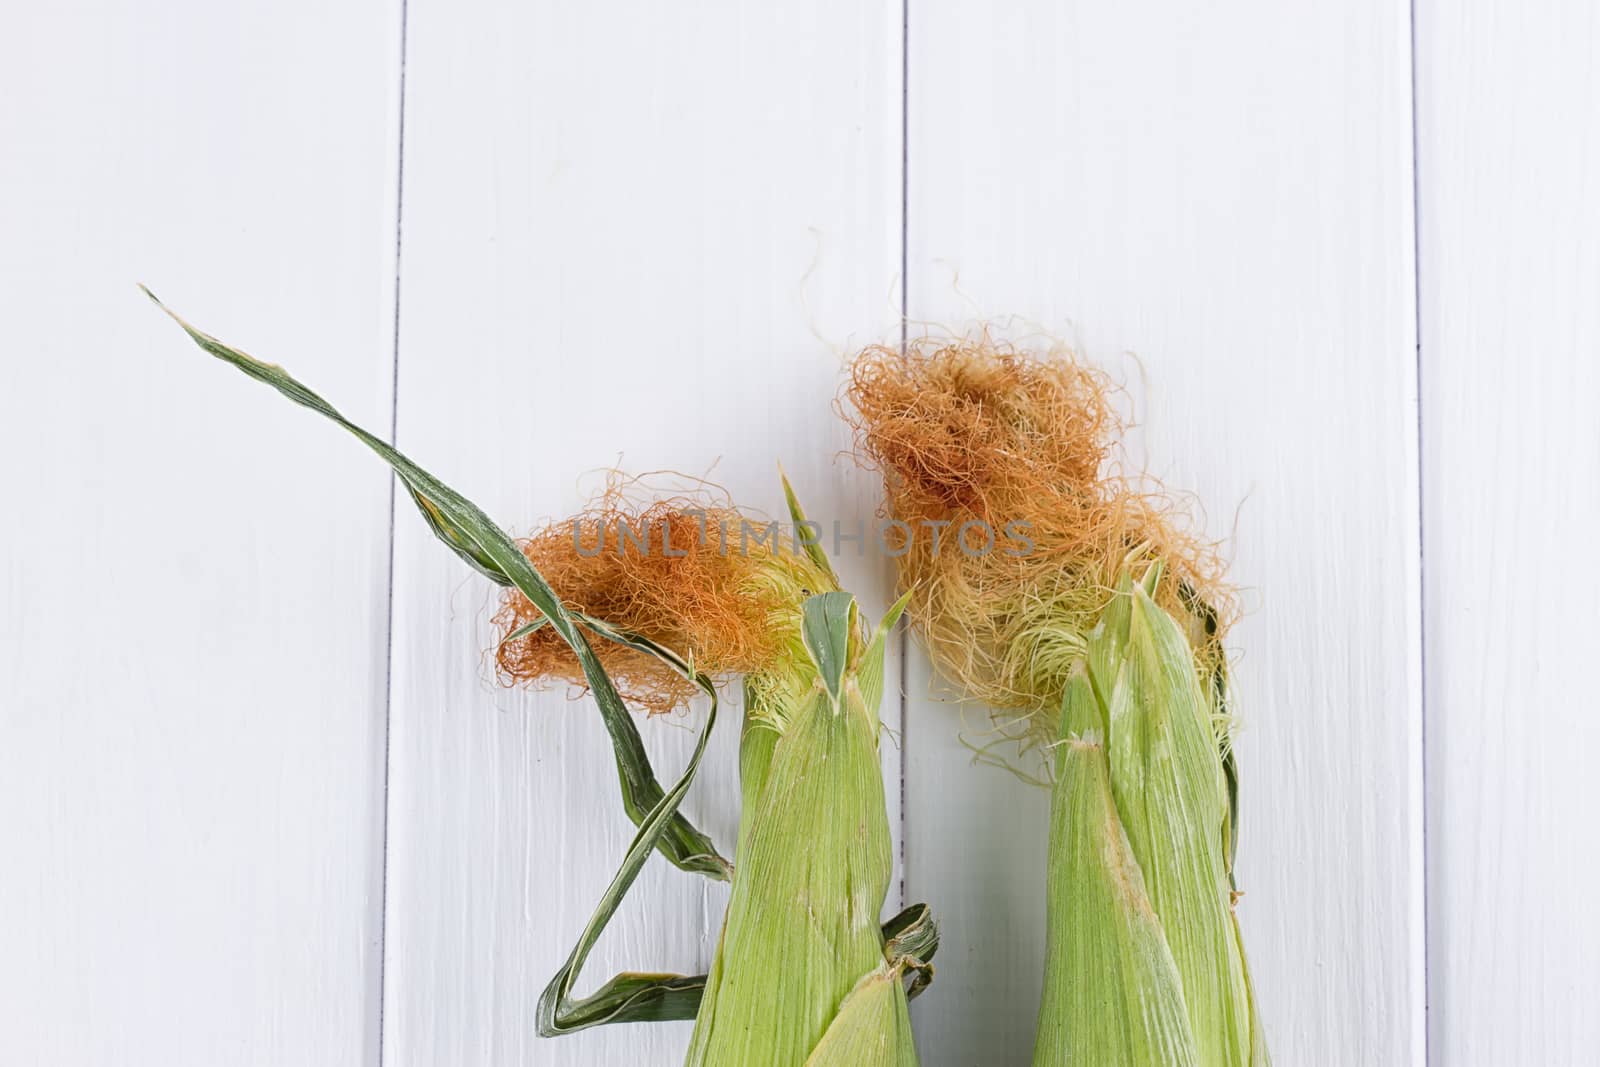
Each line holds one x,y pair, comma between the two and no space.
471,535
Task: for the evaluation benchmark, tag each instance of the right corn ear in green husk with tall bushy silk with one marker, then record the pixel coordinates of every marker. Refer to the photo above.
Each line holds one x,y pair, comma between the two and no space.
1105,633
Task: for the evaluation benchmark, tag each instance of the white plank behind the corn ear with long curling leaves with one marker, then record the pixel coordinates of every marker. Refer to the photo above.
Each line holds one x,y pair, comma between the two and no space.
623,231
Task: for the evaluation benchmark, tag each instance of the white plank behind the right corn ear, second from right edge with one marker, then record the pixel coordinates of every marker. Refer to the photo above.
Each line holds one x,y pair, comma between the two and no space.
1226,193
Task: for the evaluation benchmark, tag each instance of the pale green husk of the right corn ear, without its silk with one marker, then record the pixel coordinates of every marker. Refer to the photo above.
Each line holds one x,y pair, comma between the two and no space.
1145,961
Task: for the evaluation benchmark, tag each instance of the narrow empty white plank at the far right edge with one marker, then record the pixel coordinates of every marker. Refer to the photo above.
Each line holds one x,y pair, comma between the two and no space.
1510,134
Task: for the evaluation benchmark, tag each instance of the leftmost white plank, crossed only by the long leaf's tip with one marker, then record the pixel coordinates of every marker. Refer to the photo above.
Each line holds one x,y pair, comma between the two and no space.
194,577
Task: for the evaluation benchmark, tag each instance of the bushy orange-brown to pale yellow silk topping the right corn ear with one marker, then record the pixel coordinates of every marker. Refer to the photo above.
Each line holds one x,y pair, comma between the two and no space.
975,431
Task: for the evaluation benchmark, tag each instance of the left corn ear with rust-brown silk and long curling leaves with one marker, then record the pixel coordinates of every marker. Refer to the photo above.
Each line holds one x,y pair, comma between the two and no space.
804,973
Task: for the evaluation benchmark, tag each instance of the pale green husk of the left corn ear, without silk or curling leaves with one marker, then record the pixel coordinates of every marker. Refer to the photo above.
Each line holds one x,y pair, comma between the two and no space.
812,869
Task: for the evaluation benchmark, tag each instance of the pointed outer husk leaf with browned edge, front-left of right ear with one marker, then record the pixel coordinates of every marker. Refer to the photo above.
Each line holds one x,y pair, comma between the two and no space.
1113,993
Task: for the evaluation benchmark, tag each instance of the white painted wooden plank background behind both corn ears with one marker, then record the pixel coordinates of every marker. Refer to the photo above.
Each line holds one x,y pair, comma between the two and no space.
262,801
